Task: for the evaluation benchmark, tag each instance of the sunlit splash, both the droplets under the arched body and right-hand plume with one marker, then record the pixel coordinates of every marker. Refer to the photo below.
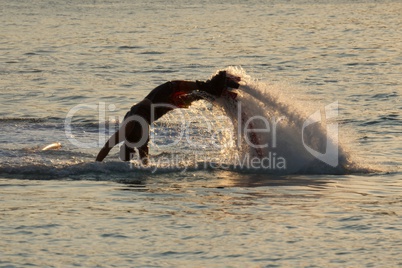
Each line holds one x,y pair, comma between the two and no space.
259,128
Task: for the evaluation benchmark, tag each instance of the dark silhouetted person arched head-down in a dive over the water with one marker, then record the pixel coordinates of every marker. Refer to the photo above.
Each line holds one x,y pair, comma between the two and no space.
134,131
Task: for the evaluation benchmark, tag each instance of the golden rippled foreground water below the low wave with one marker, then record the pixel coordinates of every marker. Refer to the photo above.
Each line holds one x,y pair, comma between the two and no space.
165,222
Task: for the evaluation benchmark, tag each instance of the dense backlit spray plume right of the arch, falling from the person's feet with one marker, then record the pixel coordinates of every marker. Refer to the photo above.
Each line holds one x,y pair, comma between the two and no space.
275,134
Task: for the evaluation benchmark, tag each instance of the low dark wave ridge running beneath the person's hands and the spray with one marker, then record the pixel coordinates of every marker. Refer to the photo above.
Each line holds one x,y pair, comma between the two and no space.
118,170
